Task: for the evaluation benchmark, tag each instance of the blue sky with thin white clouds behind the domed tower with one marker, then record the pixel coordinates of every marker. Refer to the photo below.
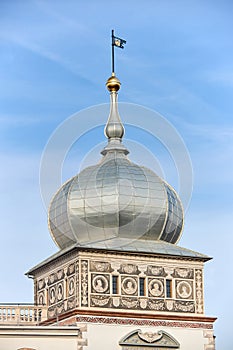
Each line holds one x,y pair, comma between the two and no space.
54,61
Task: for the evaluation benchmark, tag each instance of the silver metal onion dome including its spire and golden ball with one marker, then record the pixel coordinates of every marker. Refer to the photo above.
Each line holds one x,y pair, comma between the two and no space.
115,199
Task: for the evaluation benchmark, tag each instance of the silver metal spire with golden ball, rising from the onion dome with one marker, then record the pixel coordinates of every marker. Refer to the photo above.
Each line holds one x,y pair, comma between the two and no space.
114,129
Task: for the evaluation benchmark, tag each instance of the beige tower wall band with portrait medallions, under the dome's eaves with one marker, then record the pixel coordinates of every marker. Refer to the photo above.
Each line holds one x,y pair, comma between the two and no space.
121,283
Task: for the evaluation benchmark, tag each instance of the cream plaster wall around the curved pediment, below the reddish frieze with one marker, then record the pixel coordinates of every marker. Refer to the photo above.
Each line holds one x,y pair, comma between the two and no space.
106,337
